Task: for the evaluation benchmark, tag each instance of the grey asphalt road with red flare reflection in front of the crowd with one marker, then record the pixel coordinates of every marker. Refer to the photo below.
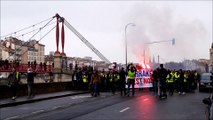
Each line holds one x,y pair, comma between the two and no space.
143,106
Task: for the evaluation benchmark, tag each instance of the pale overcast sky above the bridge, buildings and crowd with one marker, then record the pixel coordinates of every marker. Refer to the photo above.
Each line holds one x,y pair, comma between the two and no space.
103,24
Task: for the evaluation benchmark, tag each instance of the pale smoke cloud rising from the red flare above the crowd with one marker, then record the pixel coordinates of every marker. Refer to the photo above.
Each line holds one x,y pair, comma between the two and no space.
161,24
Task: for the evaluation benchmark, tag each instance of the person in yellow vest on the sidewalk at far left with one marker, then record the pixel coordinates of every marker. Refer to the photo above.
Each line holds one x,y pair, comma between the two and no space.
14,79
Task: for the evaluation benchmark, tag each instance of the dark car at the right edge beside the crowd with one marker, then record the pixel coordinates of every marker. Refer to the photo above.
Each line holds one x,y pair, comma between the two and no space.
206,82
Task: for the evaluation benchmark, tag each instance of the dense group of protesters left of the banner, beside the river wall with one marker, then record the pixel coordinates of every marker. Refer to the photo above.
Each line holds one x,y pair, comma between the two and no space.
108,81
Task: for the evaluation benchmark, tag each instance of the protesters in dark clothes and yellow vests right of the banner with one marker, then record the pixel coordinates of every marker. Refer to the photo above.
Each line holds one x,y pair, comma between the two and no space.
171,81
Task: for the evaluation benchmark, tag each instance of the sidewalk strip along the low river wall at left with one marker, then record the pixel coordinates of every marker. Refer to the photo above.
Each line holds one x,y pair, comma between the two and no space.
24,99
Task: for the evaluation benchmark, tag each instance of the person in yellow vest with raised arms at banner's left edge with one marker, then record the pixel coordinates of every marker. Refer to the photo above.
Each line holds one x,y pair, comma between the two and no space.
131,80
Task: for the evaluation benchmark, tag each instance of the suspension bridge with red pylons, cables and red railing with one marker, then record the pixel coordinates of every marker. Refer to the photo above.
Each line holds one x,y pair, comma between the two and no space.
6,66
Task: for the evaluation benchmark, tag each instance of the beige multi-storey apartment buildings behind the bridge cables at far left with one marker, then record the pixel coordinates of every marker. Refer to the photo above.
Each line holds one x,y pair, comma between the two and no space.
24,52
